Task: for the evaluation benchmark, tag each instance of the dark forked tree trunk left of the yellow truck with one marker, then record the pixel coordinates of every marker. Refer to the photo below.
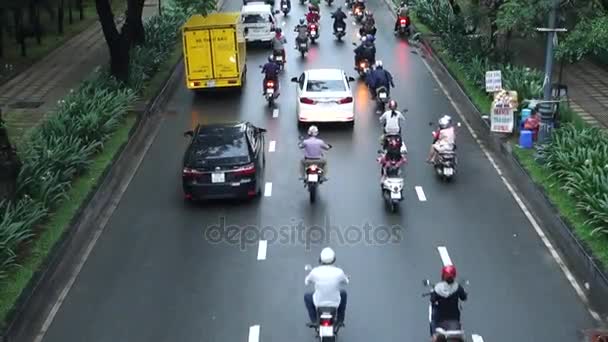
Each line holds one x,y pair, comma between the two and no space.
118,43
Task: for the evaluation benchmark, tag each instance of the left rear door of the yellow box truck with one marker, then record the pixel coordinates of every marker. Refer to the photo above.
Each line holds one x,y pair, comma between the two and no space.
198,57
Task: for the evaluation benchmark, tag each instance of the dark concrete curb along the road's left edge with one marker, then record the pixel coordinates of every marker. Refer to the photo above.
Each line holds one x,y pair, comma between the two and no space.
33,304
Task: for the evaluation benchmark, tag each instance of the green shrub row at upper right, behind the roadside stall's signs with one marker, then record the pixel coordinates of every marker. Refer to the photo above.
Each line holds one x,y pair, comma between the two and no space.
473,52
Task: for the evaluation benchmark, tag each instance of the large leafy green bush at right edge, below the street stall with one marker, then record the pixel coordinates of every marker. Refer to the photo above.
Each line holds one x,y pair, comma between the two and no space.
578,159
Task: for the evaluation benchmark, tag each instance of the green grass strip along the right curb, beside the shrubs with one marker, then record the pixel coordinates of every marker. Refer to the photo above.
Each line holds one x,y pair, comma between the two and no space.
565,204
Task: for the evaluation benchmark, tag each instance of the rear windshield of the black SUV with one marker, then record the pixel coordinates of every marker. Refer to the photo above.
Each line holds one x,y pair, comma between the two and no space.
220,149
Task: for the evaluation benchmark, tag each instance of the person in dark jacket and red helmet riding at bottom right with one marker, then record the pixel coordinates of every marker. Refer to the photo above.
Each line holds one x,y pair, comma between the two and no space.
445,299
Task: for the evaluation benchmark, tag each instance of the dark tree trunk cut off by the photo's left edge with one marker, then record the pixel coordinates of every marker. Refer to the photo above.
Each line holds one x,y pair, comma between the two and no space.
9,165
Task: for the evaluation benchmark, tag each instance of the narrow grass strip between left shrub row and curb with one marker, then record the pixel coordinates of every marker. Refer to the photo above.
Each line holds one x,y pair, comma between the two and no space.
60,220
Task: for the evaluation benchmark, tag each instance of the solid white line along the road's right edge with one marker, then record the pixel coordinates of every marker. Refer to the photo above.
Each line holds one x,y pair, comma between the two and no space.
520,203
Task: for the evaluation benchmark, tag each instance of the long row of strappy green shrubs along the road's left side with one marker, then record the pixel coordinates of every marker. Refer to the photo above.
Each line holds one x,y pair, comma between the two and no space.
62,148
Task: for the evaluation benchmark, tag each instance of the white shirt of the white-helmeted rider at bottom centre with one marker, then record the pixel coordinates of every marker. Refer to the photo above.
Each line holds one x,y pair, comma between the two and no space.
327,280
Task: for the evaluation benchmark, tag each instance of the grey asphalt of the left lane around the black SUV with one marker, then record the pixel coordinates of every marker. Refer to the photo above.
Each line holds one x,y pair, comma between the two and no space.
156,238
